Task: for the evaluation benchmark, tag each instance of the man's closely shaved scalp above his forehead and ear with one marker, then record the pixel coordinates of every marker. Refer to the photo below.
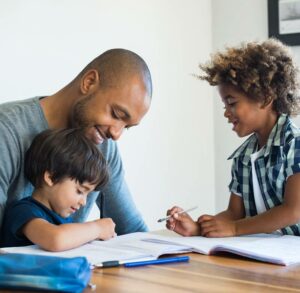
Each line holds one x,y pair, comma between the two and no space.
117,66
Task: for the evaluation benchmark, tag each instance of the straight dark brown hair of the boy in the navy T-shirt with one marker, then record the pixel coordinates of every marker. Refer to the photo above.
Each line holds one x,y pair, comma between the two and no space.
65,153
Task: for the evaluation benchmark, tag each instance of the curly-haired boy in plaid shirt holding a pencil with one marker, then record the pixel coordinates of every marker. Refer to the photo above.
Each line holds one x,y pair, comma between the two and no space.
258,84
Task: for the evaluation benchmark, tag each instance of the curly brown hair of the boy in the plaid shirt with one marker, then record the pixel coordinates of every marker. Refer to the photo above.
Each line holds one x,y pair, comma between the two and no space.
263,71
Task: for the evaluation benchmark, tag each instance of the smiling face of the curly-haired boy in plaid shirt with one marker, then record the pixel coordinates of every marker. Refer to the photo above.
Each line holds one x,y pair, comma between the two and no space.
247,116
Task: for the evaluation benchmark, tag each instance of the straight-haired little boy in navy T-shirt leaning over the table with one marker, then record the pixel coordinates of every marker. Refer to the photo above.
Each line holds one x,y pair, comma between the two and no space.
64,166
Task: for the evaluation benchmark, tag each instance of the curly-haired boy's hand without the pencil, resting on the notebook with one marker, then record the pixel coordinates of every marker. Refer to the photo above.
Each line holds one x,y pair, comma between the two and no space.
211,226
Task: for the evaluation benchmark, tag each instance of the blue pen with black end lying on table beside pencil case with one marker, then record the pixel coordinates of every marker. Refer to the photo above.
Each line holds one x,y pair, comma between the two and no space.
116,263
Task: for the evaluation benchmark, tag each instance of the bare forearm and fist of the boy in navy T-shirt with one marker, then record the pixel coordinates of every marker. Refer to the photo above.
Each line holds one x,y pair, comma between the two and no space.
67,236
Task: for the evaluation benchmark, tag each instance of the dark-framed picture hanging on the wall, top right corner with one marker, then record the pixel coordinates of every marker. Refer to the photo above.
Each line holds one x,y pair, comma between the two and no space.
284,21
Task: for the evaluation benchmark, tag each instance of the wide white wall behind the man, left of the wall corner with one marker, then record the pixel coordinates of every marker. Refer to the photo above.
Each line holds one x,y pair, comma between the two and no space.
169,158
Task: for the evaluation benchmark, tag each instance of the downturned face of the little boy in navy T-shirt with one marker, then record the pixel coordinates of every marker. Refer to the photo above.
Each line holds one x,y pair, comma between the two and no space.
67,196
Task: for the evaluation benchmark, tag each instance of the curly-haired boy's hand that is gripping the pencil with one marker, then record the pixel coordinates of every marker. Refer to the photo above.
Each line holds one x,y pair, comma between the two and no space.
182,224
